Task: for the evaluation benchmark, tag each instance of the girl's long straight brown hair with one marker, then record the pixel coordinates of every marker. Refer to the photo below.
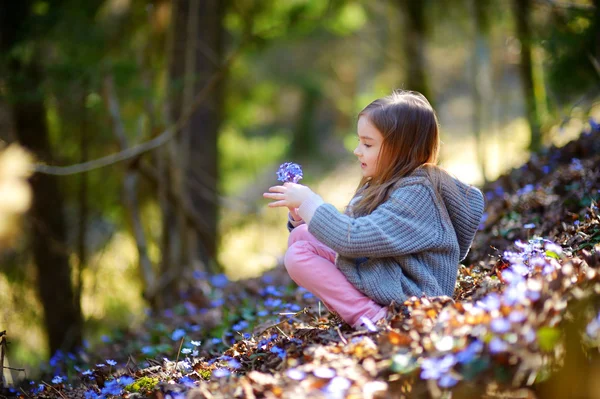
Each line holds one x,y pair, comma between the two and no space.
409,127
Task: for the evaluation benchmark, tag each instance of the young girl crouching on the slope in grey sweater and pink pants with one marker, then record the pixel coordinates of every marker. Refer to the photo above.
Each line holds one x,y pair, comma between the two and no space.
404,232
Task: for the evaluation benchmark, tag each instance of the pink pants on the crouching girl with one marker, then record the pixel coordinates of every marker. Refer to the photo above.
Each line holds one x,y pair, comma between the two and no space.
311,264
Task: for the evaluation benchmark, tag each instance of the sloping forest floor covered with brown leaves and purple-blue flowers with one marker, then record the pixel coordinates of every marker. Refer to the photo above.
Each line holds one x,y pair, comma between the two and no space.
524,321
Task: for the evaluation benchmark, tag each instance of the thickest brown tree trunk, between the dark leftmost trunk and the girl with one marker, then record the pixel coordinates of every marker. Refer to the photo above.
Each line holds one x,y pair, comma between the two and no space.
191,164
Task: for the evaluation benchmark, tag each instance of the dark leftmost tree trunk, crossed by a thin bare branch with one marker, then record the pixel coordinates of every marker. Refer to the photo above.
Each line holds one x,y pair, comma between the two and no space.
62,314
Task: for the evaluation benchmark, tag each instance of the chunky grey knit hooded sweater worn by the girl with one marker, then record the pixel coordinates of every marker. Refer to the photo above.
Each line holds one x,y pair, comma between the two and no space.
409,245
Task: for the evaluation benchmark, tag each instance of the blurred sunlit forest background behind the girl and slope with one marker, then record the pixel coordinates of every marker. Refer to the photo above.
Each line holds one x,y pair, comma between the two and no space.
153,127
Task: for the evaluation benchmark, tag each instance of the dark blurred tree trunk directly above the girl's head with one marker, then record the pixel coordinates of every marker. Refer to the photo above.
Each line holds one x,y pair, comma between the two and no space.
415,34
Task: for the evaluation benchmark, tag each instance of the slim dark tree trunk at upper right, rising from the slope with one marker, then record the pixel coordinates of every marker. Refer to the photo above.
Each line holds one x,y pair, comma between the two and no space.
522,11
